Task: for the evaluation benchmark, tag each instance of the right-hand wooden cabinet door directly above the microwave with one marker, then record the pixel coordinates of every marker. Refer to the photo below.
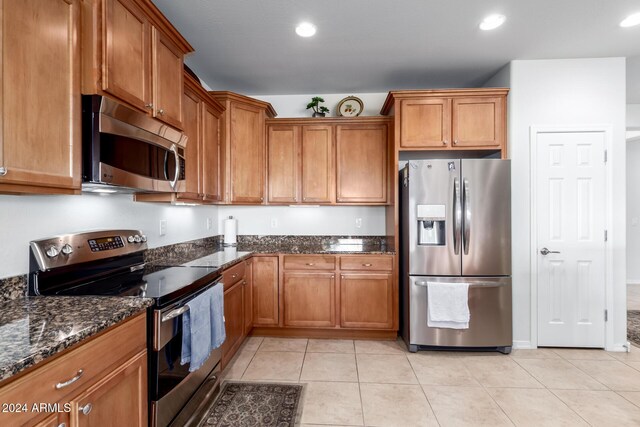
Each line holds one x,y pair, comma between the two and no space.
167,80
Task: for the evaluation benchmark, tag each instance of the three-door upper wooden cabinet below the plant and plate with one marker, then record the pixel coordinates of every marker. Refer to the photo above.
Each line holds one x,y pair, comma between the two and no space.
328,161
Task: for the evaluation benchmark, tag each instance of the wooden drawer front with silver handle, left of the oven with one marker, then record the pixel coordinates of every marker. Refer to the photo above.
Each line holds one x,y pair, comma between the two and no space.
46,383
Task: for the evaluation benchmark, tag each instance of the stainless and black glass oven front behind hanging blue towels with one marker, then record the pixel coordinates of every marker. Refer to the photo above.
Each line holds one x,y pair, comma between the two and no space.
171,385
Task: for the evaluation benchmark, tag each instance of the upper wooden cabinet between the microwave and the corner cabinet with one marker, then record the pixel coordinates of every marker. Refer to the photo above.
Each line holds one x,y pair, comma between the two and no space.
202,121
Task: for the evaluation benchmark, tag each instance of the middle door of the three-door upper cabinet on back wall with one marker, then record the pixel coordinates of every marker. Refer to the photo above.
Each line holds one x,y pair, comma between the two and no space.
317,164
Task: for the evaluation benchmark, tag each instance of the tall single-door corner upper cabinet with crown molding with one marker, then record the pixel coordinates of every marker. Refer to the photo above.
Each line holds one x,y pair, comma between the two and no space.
243,148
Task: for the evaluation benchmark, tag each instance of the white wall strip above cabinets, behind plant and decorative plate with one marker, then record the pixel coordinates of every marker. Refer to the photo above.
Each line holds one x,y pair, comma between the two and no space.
295,105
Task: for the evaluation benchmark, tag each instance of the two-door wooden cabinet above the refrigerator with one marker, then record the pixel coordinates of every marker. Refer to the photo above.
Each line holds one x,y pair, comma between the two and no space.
457,119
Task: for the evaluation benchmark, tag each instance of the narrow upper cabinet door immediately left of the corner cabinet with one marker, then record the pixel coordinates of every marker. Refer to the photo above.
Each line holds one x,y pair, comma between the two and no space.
211,154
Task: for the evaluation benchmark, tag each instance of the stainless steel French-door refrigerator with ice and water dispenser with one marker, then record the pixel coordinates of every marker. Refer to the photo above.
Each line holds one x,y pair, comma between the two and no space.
456,228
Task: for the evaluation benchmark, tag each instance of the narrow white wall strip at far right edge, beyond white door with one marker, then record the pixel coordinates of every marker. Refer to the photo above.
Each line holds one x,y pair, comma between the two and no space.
633,210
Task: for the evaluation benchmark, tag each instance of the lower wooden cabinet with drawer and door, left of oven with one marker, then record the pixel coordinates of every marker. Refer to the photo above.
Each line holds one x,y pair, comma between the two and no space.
102,382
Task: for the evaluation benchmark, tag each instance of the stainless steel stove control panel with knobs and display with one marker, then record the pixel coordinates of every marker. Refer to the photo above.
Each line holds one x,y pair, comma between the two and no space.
81,251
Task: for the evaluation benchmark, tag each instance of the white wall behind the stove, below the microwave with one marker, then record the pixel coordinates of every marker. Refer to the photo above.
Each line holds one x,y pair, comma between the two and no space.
26,218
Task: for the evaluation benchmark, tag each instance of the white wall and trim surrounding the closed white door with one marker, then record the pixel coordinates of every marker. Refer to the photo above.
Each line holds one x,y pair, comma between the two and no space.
563,92
